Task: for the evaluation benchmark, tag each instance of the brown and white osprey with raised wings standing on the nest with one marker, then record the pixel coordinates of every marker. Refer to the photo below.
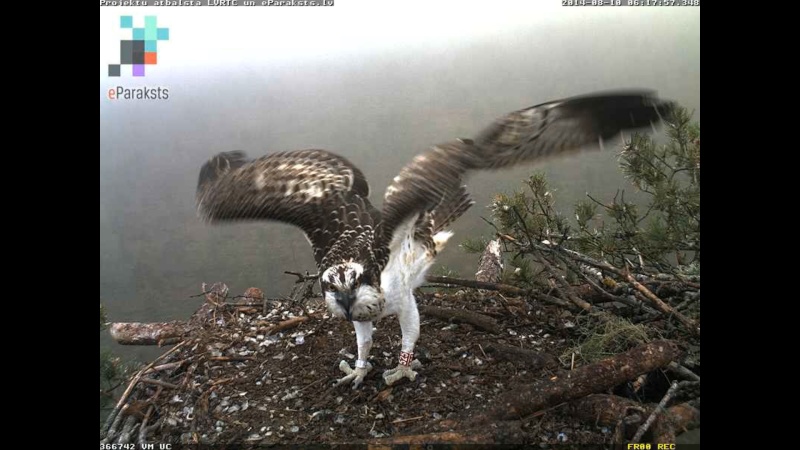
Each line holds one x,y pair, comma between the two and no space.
370,260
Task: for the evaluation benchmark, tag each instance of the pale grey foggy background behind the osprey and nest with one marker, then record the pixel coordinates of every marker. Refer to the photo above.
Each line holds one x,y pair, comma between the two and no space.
374,83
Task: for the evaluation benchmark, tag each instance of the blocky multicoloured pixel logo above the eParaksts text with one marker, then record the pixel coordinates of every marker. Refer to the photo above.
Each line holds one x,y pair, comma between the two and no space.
142,50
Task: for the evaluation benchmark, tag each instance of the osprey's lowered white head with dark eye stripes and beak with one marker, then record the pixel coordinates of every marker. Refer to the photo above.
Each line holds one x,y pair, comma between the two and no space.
349,292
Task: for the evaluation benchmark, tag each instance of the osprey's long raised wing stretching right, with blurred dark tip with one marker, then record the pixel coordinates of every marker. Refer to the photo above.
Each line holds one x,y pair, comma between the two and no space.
531,134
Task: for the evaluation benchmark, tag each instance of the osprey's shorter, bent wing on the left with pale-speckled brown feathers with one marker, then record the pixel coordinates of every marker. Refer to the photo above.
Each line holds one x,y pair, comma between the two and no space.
315,190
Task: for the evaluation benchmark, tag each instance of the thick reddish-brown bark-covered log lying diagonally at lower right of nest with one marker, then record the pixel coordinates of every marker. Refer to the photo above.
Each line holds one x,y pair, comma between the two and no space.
585,380
